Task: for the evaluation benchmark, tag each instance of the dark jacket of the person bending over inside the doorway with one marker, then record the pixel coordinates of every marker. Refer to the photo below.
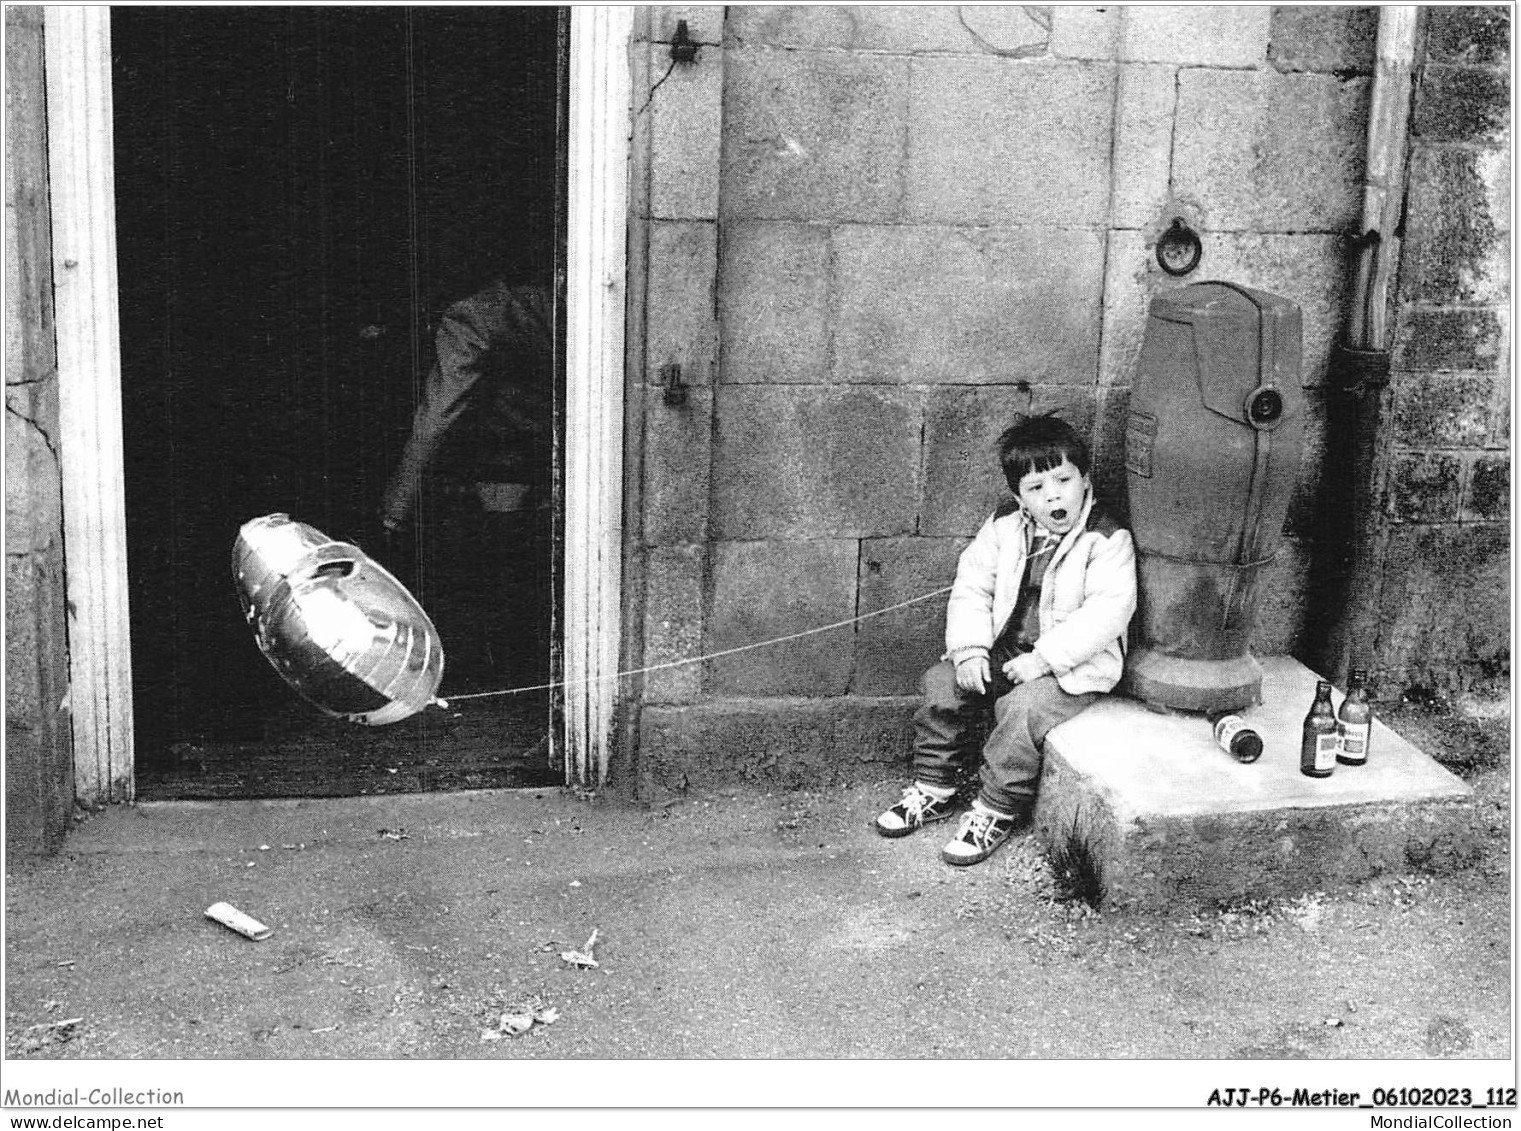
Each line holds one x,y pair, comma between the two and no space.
492,364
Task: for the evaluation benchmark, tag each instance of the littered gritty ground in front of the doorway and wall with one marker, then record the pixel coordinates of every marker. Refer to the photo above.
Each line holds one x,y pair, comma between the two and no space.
728,927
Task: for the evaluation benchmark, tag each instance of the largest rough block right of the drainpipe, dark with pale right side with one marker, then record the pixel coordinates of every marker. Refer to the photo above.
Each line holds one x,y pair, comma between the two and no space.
1458,244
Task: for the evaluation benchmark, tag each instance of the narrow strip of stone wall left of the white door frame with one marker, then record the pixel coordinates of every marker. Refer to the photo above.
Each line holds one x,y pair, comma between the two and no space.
39,756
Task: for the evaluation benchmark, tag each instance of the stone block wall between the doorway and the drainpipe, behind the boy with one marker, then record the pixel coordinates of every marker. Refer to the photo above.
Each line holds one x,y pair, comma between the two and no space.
929,220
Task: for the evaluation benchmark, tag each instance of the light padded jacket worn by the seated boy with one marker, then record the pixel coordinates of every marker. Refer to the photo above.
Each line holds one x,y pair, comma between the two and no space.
1087,598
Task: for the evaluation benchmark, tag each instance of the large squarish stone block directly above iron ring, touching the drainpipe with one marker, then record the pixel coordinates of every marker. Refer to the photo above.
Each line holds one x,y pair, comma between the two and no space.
1272,153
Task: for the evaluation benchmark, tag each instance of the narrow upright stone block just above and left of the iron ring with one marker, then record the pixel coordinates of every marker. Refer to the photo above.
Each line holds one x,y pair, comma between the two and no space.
1145,110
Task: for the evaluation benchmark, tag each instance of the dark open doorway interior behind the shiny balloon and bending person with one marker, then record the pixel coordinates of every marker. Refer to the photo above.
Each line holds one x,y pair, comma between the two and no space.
300,195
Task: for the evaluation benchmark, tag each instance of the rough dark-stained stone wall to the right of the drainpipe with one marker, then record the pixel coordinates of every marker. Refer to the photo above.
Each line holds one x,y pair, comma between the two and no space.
1444,591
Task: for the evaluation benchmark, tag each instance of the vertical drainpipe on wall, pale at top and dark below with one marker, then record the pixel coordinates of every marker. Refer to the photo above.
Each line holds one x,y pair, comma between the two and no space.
1359,373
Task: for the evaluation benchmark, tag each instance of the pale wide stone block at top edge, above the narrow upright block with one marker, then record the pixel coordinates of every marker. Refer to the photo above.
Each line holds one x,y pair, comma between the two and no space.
1204,36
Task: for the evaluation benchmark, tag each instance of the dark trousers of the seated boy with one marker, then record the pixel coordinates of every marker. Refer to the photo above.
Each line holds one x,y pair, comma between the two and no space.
947,723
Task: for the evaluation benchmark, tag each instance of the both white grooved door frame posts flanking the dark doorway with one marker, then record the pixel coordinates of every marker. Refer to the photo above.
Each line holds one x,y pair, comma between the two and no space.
83,211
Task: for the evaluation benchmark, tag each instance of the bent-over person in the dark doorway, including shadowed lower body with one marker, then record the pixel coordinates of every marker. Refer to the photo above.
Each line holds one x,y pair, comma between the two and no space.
483,440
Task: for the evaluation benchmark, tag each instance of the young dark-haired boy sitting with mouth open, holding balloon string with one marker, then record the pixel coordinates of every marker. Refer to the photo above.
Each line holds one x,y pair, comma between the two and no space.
1035,626
